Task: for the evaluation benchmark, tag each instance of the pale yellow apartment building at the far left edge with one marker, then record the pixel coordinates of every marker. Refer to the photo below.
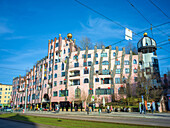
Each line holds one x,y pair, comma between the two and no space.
5,95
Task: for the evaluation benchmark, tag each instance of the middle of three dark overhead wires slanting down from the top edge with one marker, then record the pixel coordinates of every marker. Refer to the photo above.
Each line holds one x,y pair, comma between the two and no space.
146,19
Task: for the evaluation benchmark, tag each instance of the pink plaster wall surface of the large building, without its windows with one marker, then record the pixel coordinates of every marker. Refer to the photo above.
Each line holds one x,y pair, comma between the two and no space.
83,86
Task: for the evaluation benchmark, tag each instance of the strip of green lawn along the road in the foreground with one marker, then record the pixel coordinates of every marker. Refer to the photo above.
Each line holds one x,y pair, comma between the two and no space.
67,123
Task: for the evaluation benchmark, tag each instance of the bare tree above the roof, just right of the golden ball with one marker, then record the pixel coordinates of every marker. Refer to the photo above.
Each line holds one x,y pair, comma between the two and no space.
86,42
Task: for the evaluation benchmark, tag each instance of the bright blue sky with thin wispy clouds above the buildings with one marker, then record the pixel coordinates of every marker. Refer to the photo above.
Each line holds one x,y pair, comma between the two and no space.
26,26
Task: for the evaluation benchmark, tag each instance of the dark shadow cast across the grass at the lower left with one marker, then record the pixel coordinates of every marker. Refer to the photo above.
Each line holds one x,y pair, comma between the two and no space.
22,121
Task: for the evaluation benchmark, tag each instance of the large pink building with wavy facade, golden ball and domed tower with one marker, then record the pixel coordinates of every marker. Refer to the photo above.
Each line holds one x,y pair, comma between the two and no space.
72,77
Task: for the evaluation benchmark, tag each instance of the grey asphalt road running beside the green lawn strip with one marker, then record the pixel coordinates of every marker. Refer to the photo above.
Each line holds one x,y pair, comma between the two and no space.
112,119
